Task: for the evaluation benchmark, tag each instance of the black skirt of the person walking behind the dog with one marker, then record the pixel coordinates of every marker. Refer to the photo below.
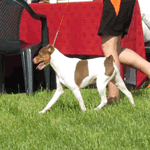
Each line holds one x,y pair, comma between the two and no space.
115,25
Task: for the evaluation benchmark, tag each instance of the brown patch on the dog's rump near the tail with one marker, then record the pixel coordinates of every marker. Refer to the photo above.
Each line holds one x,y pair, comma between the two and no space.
108,63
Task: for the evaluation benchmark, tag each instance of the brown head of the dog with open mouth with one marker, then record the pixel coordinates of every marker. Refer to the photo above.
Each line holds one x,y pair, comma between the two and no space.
43,57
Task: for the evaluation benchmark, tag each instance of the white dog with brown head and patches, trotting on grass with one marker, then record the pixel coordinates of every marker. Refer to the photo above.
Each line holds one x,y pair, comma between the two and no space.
75,73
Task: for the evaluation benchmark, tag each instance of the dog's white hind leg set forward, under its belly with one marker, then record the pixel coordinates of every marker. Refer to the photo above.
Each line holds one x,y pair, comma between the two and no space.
101,87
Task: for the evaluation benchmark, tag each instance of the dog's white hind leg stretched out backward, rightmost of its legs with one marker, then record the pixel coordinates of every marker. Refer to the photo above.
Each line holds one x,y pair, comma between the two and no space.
121,85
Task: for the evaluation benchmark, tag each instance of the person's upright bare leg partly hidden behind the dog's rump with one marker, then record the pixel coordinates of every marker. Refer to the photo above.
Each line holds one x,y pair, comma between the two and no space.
111,45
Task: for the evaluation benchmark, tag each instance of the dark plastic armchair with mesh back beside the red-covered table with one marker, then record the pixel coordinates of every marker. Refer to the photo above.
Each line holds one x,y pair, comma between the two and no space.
10,44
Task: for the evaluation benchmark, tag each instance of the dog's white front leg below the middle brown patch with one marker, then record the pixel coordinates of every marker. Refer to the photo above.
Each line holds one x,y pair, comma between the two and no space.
78,95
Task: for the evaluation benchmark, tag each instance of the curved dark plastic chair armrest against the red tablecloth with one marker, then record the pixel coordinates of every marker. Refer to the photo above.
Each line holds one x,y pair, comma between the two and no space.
37,16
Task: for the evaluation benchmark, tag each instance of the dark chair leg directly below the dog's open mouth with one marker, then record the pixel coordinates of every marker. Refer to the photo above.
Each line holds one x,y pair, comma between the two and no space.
47,77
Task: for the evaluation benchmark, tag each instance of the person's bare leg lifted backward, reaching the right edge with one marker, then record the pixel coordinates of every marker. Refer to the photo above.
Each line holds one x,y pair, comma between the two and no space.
129,57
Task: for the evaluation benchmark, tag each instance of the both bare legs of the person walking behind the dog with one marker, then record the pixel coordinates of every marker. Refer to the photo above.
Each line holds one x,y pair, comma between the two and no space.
111,46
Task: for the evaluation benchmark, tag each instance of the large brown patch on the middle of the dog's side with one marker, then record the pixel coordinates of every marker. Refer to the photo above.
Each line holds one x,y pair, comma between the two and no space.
81,71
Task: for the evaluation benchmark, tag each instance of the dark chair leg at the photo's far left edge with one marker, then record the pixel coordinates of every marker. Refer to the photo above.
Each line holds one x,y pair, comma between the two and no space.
2,73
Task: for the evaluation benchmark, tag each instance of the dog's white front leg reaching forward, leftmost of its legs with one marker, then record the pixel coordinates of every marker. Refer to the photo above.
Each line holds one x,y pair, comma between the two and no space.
58,93
